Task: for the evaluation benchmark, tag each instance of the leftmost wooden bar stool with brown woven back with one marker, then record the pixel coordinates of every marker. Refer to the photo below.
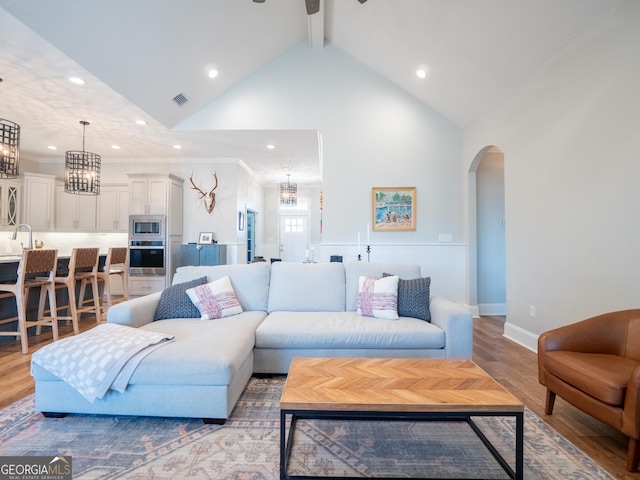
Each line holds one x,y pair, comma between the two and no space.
32,262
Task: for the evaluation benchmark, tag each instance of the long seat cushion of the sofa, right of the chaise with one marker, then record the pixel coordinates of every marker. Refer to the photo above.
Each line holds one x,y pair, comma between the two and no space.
334,330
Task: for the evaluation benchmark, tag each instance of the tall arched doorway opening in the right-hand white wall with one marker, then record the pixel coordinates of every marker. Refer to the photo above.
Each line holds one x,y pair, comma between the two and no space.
487,232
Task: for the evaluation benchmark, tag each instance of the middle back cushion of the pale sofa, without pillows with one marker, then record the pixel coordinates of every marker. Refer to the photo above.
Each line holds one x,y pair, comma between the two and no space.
307,287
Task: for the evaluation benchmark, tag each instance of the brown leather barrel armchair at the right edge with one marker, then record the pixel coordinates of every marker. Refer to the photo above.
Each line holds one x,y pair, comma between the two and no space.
595,366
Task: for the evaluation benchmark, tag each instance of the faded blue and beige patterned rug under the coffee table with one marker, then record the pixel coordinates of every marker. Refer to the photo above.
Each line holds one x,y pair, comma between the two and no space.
247,446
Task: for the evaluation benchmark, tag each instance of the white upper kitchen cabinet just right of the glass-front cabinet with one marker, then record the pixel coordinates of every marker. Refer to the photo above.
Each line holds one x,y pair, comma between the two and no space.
38,195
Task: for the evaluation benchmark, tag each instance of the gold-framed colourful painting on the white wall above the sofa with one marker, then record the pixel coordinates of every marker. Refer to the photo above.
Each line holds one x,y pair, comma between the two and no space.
393,209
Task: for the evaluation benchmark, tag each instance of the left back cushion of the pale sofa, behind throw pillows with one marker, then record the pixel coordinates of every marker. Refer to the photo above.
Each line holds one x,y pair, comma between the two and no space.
250,281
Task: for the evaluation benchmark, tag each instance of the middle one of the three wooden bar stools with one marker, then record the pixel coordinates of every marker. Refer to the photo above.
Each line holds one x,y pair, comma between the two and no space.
83,268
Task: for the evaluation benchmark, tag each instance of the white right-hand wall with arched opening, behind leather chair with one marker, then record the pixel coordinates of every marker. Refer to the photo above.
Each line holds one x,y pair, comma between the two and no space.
571,148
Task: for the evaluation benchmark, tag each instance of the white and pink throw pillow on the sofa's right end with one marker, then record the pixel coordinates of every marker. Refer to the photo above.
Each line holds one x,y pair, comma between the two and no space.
378,298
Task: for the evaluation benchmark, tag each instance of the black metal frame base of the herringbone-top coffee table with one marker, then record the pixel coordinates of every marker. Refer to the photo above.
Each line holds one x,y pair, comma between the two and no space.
287,440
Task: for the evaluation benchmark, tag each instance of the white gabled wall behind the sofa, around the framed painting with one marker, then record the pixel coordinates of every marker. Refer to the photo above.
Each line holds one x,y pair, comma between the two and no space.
374,135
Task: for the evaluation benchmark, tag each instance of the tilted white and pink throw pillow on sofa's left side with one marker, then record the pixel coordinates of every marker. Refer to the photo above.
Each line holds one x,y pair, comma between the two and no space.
216,299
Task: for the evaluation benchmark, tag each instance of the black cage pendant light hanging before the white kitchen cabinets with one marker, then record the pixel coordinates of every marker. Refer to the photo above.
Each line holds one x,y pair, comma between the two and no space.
82,170
